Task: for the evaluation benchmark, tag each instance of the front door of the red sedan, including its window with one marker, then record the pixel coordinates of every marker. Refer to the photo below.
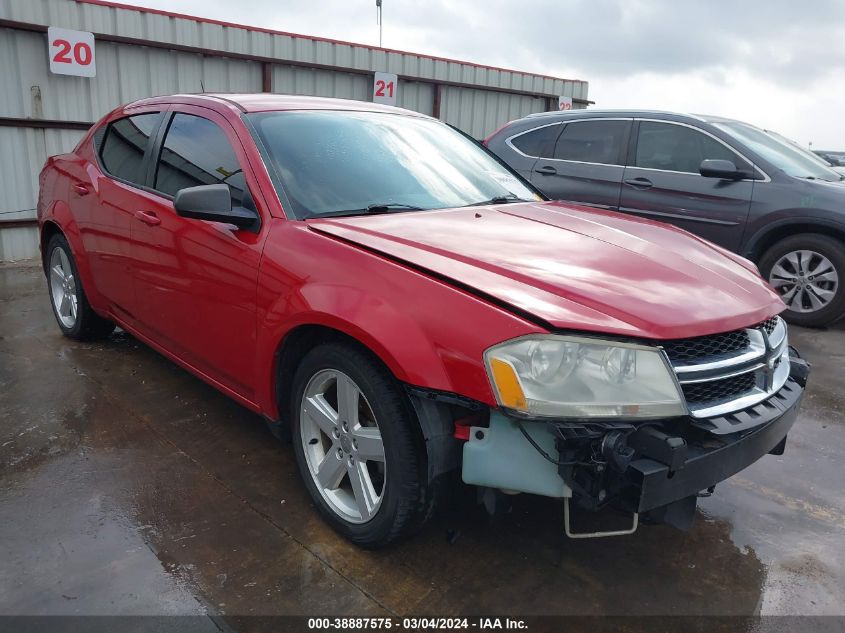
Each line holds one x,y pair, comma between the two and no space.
196,280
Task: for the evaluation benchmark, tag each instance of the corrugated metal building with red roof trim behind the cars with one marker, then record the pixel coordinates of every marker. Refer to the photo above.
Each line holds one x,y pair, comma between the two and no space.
144,52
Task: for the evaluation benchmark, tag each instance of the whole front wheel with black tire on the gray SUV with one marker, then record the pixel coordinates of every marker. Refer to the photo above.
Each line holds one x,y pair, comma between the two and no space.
813,300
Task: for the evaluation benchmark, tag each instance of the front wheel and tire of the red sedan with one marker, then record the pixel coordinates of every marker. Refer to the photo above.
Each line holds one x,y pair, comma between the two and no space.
406,498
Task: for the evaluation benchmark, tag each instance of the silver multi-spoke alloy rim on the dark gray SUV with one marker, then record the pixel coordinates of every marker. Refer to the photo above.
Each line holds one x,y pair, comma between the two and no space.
806,280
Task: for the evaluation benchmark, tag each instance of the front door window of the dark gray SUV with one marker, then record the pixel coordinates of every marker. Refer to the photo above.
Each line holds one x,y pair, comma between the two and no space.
678,148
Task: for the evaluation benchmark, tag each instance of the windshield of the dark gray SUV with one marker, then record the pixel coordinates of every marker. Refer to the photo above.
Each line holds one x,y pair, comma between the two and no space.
781,153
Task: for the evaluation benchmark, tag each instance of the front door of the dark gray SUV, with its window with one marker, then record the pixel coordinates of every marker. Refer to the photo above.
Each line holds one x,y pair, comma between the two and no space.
662,181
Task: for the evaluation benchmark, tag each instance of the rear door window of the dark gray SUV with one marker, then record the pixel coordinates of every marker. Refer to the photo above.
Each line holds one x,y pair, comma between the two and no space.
592,142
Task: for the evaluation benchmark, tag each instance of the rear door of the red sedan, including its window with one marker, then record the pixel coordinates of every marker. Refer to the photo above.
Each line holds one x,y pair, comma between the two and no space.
104,205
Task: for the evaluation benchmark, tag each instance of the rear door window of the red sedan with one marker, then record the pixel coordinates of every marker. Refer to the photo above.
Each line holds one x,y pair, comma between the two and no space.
122,149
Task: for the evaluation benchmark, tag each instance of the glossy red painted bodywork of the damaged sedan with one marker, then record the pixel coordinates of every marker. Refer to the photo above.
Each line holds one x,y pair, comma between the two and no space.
220,301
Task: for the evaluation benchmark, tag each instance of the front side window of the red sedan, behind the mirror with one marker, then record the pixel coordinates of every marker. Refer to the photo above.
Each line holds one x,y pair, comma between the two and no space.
197,152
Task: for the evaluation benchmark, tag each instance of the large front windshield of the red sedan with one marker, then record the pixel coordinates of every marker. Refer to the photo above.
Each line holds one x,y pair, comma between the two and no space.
342,163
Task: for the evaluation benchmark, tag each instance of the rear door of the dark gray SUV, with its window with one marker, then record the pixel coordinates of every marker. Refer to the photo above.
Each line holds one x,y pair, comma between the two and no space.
586,164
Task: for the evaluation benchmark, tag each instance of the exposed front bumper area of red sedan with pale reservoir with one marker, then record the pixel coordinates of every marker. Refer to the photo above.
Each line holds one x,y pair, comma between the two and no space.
653,469
